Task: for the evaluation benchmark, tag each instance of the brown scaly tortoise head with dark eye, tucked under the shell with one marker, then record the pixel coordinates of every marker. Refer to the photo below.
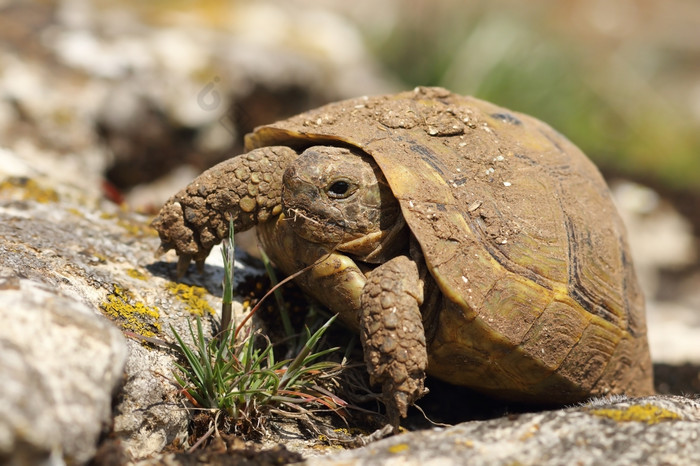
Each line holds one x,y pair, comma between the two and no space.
339,197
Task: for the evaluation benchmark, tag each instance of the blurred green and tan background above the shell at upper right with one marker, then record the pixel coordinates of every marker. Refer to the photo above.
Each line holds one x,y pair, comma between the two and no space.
621,78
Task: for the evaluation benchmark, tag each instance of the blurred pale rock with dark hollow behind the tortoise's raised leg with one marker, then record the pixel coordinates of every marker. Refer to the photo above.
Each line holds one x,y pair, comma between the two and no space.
134,91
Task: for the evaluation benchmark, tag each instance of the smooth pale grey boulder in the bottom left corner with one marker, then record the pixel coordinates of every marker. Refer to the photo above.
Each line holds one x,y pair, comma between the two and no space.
60,365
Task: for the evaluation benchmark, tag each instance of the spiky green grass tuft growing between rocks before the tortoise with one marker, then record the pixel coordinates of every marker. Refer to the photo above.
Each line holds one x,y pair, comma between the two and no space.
235,373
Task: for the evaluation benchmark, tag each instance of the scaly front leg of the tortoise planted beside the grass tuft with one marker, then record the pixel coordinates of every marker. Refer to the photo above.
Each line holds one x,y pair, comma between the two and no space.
392,334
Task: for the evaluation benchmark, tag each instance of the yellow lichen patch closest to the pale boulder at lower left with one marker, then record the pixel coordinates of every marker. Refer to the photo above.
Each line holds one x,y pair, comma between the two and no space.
130,314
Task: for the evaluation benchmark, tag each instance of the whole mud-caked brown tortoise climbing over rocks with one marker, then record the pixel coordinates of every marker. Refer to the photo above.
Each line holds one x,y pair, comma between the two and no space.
461,239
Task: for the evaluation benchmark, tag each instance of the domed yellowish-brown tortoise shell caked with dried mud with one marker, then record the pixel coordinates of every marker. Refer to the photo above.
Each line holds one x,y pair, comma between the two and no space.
518,229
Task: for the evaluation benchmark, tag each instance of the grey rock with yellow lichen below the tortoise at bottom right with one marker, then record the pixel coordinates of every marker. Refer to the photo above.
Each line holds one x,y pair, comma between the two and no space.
616,431
